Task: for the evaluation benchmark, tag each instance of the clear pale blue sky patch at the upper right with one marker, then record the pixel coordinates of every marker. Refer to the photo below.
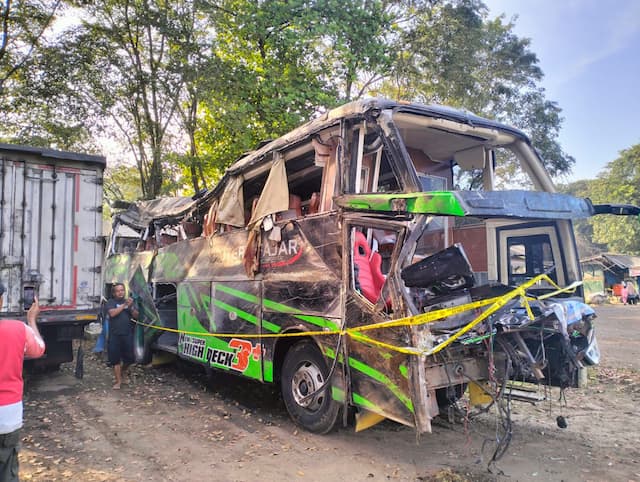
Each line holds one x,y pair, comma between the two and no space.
589,51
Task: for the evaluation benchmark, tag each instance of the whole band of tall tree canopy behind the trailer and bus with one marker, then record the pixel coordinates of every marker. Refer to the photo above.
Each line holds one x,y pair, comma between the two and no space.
190,85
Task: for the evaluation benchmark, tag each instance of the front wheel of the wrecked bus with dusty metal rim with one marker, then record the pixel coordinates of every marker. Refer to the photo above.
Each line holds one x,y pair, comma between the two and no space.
303,372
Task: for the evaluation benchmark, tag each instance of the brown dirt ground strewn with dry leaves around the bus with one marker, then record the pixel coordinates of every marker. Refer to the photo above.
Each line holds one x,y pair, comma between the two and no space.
173,424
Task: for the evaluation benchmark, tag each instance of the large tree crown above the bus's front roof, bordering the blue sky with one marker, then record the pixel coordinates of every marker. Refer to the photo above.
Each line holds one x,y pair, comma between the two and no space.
453,54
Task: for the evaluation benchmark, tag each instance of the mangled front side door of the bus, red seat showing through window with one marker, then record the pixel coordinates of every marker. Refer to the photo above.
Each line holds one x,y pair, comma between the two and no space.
379,376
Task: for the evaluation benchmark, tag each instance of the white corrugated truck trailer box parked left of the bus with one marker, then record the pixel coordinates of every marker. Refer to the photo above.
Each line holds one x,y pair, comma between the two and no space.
51,241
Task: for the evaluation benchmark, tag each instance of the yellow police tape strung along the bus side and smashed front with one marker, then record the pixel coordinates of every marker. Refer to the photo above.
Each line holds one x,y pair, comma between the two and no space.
421,319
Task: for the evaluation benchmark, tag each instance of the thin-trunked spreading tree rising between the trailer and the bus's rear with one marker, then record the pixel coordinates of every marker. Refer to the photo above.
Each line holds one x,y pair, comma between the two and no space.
130,57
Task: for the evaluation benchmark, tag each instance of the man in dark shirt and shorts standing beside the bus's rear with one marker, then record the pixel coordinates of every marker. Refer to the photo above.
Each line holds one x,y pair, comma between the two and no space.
120,311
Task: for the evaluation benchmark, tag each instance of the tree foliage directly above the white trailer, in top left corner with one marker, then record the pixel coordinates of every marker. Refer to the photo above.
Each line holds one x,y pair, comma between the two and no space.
33,81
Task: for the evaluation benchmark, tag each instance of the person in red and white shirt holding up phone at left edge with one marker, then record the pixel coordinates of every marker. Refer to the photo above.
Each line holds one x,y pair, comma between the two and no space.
17,342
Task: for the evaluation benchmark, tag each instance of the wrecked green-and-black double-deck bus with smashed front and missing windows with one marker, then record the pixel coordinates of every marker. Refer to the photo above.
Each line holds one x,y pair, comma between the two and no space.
345,262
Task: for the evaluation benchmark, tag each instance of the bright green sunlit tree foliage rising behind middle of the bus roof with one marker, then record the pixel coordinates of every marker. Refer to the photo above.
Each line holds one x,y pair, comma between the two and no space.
270,77
